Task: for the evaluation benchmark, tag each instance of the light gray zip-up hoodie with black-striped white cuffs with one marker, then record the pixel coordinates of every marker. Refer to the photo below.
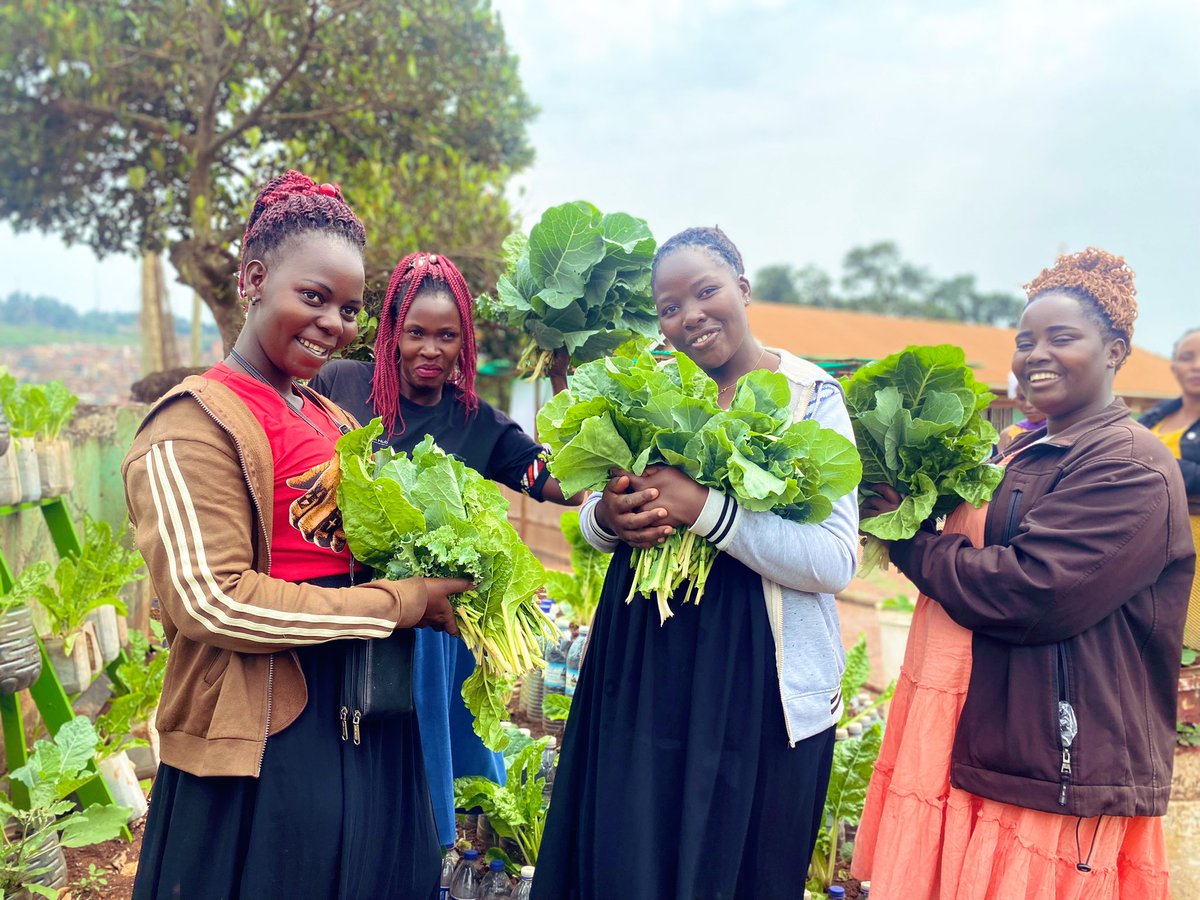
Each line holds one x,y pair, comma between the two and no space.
802,566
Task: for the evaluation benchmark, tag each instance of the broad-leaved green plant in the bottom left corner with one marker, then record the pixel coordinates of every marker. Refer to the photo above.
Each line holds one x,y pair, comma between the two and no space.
55,771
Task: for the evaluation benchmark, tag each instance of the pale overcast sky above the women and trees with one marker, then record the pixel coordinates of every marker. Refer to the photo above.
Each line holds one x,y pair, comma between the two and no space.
982,137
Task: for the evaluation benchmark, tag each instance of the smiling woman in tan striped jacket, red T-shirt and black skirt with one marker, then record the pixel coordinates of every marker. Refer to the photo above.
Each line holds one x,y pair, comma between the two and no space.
232,487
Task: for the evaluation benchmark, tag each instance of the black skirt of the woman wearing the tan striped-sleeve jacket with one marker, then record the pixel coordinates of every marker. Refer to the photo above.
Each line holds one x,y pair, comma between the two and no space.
326,819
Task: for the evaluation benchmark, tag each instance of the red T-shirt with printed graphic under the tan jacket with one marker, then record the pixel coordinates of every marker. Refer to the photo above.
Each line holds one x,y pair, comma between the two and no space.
308,541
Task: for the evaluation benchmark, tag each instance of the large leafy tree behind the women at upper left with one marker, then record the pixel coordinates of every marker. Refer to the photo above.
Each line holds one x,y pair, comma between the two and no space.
131,125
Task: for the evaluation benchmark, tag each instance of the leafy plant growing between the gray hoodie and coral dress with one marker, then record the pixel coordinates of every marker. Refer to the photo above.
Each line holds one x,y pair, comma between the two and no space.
854,763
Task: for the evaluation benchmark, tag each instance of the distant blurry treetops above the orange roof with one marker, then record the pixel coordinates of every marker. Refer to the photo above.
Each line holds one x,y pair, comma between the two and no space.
877,279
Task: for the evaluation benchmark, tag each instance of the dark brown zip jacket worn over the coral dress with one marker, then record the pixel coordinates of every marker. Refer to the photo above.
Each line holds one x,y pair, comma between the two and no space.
1078,595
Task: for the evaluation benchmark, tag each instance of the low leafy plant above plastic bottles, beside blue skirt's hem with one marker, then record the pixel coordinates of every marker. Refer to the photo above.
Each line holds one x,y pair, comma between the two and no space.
517,811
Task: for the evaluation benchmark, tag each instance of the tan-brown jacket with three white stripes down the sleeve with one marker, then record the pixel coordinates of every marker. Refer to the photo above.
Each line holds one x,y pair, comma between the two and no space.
199,483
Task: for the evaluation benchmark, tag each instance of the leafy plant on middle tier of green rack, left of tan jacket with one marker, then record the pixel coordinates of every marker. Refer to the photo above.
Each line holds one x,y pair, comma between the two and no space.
89,581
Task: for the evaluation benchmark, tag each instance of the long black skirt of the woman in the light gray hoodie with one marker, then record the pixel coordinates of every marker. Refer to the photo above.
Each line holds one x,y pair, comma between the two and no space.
676,779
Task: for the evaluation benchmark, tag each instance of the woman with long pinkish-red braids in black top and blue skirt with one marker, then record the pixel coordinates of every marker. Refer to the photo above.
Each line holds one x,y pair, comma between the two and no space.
423,382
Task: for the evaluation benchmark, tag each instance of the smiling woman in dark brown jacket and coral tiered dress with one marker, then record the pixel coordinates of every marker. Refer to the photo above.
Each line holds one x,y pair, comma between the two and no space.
1072,603
